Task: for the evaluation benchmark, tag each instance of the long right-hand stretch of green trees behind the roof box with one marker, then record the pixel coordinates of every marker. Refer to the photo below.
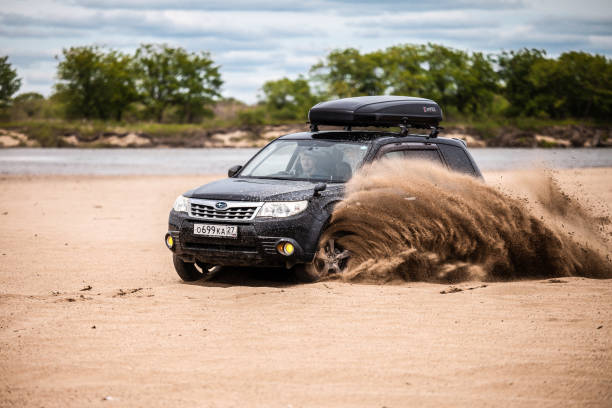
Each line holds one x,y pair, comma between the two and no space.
511,83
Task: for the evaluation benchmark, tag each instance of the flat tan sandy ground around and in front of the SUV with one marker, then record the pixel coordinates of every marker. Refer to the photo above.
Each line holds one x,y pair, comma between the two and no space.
93,314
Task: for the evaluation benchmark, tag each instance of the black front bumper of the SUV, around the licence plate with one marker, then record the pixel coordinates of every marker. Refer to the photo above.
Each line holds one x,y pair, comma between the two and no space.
255,244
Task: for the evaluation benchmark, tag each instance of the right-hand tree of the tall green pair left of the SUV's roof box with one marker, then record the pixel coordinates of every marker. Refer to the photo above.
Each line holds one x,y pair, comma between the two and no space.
171,76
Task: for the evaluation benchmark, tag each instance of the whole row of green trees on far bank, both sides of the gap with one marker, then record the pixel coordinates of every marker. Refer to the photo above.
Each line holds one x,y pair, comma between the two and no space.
159,82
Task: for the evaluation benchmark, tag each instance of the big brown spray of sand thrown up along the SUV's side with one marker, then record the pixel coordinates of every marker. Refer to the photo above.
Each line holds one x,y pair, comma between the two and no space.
414,221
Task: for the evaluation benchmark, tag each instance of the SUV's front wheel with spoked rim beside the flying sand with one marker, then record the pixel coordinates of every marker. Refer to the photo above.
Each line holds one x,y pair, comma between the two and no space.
329,259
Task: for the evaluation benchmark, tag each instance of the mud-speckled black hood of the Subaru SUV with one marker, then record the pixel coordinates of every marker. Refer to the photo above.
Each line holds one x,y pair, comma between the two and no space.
247,189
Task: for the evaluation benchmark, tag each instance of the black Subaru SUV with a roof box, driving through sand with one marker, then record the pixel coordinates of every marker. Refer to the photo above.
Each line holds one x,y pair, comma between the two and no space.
273,210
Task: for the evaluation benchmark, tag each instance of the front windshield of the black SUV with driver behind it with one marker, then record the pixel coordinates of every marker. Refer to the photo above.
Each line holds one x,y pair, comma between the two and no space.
313,160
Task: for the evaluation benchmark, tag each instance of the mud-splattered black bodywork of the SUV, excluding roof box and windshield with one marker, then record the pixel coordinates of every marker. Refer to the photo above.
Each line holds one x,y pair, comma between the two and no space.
260,240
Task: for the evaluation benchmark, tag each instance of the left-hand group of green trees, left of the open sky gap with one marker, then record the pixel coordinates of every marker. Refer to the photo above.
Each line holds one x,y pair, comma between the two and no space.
156,81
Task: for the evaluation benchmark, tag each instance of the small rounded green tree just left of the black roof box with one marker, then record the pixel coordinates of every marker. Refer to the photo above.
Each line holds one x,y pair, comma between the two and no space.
287,99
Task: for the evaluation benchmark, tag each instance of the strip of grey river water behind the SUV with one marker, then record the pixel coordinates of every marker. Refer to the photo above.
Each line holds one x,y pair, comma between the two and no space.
217,161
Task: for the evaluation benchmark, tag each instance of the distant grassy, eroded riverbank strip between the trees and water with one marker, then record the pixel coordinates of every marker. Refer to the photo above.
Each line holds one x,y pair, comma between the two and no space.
558,136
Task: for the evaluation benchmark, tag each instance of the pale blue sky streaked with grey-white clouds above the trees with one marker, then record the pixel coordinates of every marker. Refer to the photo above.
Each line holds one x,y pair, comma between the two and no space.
259,40
